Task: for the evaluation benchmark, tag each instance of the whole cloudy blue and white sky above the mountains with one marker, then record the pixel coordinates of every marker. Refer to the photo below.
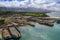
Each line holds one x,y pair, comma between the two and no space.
44,4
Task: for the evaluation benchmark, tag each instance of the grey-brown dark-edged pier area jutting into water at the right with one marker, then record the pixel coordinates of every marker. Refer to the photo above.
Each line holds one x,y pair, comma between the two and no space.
49,21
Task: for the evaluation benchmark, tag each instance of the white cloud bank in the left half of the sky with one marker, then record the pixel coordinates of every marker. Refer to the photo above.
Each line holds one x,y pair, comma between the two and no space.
13,4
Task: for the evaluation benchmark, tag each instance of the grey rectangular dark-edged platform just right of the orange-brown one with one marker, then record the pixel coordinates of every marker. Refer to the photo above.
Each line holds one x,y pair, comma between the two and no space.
15,33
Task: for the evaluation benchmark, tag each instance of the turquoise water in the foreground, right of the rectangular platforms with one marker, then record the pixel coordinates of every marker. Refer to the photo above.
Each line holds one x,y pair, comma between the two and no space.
40,32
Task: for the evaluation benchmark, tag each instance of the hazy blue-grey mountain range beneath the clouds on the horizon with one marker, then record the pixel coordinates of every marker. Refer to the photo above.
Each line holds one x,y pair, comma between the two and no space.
29,9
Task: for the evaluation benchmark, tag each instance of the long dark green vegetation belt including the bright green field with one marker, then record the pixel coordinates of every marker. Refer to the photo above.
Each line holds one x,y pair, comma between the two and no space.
24,14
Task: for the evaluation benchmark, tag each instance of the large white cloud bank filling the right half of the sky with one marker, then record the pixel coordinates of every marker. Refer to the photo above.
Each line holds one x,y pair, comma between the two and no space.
46,4
